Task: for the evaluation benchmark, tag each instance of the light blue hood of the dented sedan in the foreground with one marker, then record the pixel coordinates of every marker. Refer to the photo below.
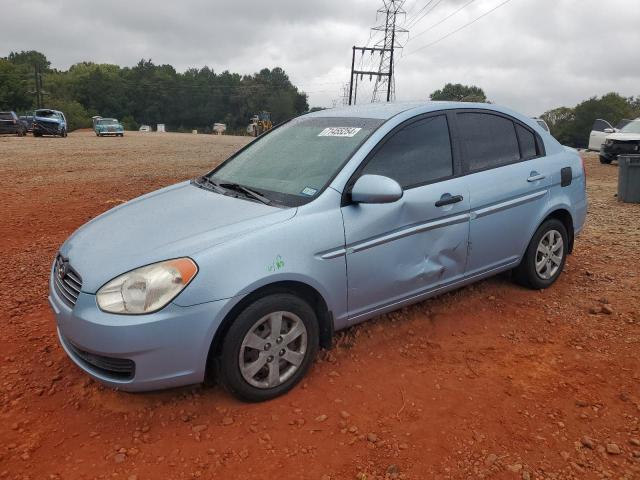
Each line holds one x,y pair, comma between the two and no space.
176,221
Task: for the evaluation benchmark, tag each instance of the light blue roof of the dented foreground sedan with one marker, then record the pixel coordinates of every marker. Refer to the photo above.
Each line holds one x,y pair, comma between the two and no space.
387,110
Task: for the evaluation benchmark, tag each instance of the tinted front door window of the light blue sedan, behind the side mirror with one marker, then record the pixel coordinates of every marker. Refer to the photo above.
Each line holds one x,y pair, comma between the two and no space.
418,153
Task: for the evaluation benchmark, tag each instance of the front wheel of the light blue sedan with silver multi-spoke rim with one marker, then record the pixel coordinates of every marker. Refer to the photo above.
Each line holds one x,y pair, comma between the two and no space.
249,346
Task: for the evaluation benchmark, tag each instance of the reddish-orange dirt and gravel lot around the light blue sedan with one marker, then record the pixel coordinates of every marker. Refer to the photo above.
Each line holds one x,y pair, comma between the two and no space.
491,381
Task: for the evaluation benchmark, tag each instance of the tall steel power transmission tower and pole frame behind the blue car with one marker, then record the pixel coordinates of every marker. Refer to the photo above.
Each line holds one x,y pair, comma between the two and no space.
385,48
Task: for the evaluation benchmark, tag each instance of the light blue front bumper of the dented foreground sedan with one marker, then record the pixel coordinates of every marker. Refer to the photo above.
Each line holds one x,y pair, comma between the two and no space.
165,349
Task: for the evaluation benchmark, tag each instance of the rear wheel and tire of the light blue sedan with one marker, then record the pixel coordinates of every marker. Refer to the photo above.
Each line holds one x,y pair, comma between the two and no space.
527,273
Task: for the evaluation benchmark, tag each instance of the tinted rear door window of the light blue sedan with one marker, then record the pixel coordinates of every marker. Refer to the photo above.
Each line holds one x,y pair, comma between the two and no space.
489,140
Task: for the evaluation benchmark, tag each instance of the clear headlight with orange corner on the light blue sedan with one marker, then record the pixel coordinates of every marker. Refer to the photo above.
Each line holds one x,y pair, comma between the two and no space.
146,289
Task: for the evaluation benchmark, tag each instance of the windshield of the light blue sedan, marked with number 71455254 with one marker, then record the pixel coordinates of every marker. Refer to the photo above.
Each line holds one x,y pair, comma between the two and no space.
295,161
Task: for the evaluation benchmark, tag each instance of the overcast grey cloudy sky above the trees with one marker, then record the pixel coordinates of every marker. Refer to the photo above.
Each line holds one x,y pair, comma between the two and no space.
530,55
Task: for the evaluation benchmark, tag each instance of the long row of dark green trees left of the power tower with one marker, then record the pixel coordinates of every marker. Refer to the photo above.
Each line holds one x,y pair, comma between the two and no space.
148,93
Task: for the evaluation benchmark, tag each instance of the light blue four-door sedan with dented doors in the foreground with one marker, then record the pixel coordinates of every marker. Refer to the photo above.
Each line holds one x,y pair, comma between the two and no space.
247,270
